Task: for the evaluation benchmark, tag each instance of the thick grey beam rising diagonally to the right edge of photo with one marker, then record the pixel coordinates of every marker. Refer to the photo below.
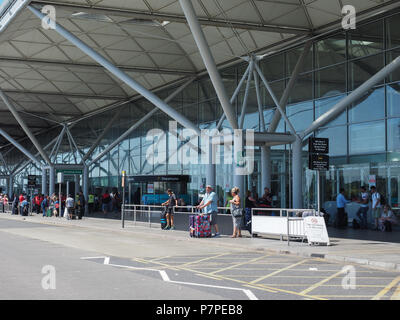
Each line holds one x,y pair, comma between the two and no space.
352,97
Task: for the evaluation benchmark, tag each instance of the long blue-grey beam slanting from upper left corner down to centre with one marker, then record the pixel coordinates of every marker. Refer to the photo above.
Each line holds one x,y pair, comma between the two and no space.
120,74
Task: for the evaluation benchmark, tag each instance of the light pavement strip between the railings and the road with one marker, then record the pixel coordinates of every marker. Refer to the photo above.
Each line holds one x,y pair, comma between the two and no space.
377,254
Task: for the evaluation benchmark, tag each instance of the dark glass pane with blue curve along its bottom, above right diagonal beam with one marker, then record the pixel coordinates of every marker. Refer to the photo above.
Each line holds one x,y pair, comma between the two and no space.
330,81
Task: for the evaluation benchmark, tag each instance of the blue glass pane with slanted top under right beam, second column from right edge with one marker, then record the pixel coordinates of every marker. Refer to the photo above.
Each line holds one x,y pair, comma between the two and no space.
371,107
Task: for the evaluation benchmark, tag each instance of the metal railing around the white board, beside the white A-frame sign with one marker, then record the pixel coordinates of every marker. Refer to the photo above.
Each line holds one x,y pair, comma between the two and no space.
293,230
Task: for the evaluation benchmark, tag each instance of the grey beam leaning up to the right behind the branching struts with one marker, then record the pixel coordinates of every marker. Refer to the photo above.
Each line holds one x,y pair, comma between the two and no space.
288,90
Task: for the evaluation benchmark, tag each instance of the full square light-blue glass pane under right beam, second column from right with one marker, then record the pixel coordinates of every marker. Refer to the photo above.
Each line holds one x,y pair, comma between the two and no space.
367,137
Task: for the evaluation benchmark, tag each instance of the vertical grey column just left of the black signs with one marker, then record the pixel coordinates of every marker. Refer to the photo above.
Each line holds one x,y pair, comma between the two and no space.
297,172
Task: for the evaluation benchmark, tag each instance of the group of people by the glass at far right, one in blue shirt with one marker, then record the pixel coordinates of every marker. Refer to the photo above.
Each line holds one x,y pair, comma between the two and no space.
382,214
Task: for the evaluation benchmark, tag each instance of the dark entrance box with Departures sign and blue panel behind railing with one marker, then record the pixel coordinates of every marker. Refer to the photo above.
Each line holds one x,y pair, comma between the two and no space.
146,189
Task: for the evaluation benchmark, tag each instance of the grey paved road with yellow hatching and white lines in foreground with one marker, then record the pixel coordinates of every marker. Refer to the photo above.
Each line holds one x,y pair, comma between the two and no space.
146,270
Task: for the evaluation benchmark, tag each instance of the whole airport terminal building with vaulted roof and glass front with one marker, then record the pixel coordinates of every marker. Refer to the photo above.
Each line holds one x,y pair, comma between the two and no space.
83,98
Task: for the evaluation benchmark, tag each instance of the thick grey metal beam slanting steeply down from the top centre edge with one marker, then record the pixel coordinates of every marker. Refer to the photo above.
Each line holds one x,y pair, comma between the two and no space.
208,60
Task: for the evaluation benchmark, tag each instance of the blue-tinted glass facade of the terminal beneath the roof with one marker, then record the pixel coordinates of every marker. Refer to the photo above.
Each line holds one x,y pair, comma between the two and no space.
367,133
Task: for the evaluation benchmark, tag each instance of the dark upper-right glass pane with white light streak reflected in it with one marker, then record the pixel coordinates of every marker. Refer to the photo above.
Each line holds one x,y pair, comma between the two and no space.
366,40
